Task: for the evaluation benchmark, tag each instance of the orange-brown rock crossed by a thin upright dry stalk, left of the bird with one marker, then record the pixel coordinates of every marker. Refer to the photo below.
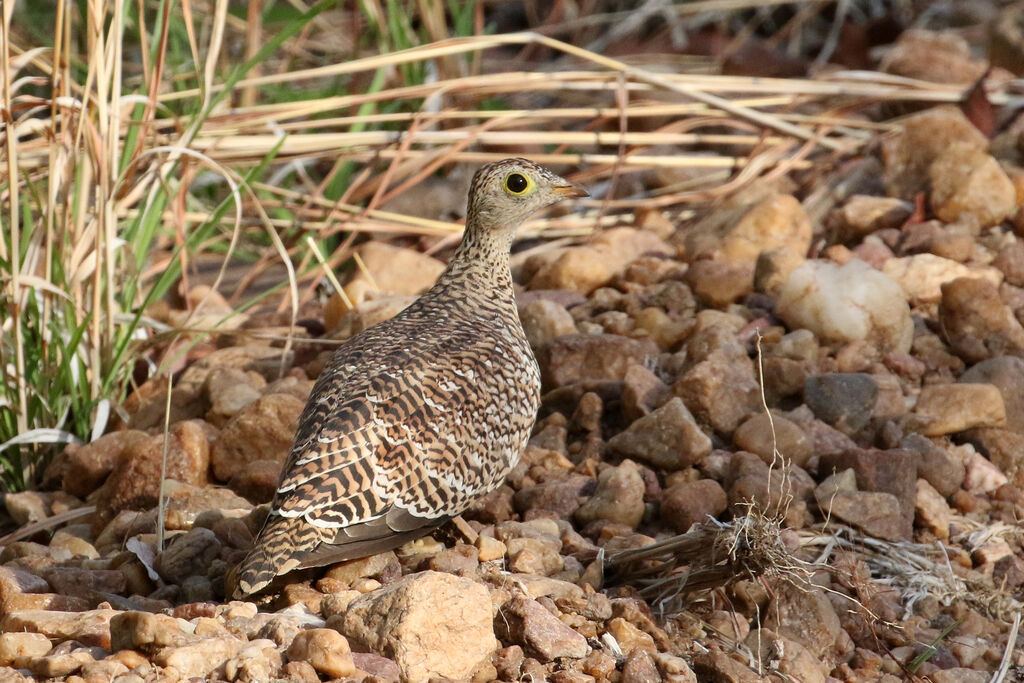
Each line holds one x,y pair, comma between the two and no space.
135,484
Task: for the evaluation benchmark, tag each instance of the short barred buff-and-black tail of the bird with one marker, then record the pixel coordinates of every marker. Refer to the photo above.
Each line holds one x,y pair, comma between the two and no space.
278,549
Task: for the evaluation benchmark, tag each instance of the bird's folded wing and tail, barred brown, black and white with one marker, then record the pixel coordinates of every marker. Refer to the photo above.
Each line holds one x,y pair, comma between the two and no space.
387,449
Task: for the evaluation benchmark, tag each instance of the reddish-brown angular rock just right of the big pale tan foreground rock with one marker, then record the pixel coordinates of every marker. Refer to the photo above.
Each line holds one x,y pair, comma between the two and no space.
542,635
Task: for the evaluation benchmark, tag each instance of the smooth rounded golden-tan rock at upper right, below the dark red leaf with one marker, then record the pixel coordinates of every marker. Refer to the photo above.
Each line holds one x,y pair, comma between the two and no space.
969,187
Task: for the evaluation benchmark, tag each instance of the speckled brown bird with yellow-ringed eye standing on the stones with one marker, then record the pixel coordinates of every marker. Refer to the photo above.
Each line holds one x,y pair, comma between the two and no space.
414,419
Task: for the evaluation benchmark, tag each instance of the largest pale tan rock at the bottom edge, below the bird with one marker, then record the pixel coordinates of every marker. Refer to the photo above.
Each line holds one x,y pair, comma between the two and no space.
432,624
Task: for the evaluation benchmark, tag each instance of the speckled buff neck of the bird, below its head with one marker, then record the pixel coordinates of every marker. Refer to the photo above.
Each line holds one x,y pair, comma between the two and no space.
481,265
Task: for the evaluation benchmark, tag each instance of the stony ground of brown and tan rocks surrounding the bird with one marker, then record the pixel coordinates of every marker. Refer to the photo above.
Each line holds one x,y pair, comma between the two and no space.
877,314
